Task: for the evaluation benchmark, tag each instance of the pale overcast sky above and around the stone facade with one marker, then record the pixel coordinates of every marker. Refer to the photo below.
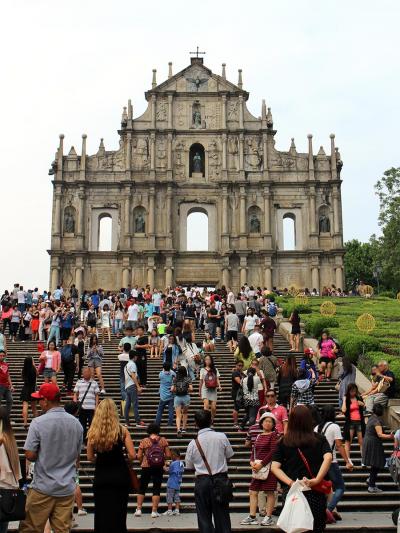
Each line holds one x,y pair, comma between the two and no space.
69,67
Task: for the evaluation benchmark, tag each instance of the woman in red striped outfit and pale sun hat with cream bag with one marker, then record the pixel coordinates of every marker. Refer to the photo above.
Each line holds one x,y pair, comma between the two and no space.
263,480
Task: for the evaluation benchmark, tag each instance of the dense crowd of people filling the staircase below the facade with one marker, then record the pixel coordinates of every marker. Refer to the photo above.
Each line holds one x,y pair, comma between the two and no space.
289,437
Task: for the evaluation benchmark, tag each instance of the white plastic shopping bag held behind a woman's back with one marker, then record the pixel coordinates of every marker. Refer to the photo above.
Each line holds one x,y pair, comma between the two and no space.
296,515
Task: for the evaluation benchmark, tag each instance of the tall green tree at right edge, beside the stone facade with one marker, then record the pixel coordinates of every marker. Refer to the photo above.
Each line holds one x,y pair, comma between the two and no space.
388,191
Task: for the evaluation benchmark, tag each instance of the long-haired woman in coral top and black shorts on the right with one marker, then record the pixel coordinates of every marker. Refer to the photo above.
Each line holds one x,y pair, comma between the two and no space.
353,410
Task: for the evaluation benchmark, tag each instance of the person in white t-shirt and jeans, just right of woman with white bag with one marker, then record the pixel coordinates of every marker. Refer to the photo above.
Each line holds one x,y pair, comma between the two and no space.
333,435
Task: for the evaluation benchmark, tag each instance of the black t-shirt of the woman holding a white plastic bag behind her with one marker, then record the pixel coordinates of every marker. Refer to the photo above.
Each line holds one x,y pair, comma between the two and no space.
291,462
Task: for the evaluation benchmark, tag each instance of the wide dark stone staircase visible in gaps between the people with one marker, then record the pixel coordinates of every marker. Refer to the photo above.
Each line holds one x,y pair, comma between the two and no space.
355,500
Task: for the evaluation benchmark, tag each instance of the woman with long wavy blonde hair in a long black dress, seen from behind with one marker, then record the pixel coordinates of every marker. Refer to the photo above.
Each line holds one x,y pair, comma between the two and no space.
107,440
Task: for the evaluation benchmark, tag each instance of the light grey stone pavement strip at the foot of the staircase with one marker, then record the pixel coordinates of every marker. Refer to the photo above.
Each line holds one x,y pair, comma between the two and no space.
187,523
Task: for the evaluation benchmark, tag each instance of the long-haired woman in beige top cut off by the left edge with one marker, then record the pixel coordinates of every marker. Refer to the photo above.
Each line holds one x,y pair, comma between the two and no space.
10,470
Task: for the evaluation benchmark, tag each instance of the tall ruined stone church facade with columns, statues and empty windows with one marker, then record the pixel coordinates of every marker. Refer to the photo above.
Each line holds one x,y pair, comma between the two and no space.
197,148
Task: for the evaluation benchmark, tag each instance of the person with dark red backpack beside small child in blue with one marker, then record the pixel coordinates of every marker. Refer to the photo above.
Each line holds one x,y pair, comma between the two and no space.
152,454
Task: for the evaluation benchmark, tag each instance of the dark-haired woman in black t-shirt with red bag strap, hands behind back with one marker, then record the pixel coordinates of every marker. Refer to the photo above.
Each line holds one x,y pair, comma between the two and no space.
303,454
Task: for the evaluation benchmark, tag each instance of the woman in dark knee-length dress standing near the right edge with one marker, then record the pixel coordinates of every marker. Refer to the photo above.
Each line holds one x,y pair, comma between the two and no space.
373,454
